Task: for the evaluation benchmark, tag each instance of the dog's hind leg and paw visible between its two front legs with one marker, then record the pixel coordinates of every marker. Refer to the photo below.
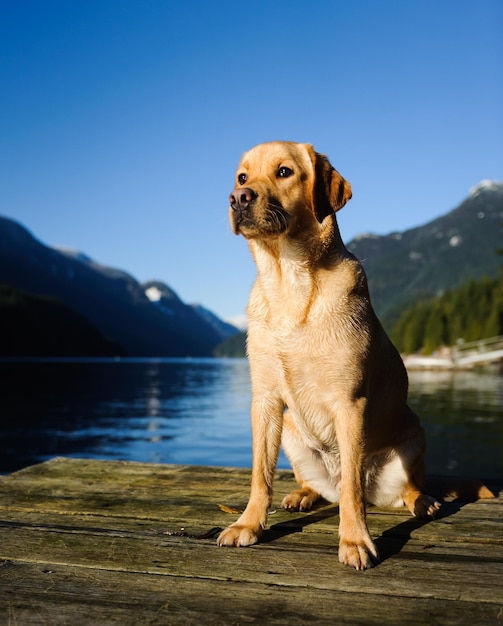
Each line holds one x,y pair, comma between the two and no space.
310,471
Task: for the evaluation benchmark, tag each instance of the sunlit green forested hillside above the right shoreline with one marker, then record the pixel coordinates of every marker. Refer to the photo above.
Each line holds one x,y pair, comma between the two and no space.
471,312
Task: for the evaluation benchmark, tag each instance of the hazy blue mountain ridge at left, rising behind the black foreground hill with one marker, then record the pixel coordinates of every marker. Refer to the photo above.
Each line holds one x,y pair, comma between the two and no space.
145,320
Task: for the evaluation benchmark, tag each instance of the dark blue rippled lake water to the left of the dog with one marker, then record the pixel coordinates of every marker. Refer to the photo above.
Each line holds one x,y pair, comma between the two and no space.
155,411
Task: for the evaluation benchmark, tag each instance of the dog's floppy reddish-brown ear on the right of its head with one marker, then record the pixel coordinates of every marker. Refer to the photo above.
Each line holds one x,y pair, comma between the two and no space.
330,191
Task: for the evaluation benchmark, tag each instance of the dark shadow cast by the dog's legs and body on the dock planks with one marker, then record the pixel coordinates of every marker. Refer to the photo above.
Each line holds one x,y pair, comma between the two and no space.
389,543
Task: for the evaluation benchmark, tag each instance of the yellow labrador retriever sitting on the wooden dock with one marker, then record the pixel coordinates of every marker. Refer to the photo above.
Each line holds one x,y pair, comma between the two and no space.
327,382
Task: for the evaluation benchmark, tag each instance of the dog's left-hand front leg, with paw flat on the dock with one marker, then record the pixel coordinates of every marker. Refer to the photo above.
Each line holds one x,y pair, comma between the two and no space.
267,421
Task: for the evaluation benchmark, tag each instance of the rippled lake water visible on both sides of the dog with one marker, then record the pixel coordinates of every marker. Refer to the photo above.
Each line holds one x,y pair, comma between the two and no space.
196,411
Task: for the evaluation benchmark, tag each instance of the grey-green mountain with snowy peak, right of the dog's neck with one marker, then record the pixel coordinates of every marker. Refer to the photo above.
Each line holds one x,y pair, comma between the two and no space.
404,268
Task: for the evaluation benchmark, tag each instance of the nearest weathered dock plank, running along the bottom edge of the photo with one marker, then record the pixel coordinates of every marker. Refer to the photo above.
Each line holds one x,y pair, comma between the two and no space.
63,595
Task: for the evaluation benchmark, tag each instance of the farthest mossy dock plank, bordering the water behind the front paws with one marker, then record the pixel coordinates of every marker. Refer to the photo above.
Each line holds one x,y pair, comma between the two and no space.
182,494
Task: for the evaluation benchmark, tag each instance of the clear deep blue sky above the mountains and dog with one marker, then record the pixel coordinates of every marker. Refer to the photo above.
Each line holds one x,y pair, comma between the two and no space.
122,121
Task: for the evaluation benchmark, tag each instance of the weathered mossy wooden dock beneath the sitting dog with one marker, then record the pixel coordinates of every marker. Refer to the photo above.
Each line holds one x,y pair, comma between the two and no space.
104,542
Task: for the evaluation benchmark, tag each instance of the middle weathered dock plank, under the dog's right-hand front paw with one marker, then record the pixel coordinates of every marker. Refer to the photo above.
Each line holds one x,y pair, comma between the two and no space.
407,576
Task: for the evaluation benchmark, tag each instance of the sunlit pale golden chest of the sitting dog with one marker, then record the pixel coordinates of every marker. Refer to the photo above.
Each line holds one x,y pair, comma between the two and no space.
298,337
